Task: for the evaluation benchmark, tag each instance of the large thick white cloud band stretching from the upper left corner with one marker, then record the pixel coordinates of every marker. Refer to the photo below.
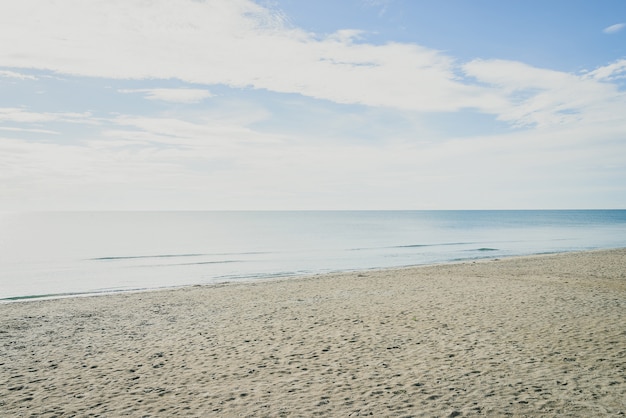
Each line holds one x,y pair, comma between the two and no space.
234,42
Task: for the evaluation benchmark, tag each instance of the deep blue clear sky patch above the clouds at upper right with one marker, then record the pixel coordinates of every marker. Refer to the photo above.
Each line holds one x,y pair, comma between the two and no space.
560,34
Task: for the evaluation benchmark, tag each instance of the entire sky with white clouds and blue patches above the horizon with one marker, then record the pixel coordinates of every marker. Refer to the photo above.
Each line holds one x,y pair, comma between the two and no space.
312,105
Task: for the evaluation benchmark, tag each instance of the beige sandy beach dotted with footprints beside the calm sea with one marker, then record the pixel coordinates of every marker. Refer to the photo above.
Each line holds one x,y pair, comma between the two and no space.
527,336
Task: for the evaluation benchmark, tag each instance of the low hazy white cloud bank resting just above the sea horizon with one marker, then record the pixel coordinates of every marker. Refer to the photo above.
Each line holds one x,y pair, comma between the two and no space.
223,166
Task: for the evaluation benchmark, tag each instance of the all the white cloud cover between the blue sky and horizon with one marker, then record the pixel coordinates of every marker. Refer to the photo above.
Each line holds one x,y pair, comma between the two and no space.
219,157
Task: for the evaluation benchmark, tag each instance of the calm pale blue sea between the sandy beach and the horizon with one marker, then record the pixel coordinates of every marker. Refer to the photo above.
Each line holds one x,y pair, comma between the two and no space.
88,252
